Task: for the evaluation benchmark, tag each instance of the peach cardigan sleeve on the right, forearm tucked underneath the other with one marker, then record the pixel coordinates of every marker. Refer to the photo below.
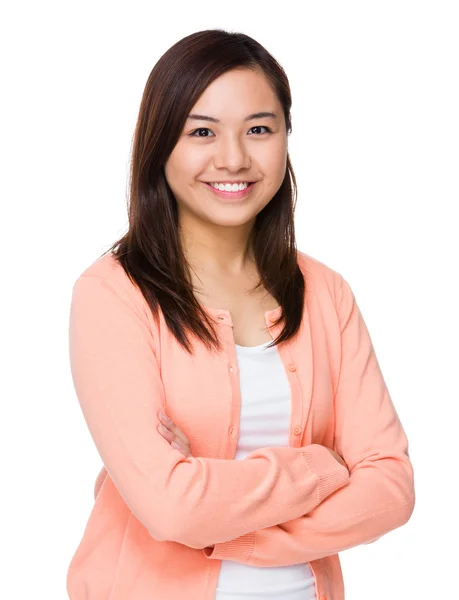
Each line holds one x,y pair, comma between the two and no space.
380,495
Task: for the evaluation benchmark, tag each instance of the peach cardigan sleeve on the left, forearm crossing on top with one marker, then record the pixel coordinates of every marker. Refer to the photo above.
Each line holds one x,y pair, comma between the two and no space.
194,501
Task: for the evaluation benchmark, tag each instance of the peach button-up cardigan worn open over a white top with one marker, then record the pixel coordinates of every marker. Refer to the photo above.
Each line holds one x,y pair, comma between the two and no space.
157,512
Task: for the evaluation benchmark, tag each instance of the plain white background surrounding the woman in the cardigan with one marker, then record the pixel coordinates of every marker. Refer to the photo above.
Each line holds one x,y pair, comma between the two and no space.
375,149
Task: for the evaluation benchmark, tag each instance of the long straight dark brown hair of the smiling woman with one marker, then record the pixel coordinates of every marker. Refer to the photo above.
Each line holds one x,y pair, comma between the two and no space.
150,252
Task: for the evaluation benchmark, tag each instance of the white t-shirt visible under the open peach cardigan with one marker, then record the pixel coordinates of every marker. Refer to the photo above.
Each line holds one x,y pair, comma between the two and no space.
265,421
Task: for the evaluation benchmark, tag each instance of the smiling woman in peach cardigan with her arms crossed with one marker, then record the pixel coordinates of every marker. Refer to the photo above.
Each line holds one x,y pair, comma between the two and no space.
279,444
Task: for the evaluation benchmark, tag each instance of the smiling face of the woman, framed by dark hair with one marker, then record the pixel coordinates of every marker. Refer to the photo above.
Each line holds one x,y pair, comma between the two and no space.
232,149
